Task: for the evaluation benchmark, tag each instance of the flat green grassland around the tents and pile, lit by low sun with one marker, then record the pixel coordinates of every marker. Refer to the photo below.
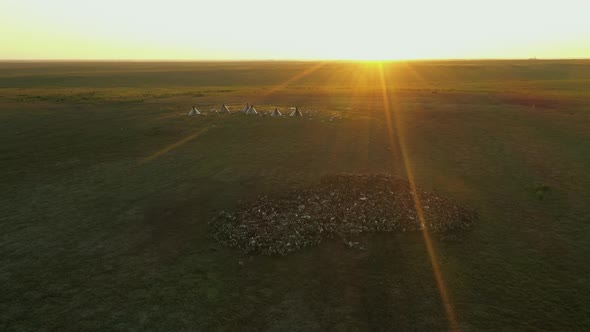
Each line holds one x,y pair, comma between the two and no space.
107,188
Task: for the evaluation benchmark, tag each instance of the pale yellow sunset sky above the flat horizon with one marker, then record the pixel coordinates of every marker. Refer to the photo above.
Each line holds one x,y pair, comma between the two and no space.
297,29
